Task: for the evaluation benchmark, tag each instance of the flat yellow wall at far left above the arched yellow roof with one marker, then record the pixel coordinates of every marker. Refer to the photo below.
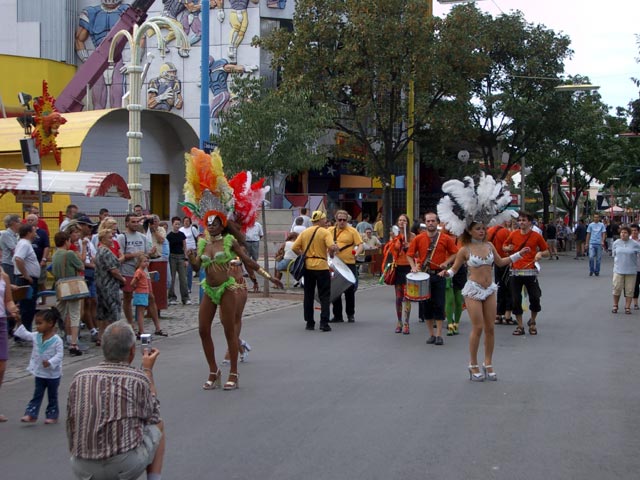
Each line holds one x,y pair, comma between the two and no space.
23,74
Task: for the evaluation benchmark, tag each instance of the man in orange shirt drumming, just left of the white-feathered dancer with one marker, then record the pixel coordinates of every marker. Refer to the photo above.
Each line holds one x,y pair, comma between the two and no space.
434,251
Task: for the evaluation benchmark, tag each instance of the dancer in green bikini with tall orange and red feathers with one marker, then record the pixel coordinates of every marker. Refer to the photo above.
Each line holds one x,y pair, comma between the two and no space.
210,198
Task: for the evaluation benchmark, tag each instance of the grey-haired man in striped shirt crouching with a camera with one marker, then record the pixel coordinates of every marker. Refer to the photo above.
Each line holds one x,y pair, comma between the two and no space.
113,419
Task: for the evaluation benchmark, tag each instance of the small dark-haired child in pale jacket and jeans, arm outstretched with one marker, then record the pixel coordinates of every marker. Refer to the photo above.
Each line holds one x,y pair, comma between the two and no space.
45,364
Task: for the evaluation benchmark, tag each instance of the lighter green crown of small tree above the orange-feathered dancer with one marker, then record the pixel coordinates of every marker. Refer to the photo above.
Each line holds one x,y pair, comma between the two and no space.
268,131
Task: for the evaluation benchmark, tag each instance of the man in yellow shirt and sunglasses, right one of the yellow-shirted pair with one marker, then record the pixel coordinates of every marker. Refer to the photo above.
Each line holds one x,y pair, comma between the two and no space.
349,244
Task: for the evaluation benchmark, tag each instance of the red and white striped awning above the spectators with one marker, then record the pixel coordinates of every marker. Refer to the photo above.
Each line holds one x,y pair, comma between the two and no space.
90,184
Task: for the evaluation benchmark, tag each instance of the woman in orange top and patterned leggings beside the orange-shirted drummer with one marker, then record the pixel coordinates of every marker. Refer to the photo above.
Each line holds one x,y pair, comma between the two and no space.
397,249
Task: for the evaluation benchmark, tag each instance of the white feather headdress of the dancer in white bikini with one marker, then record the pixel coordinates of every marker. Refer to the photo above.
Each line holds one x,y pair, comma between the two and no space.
465,202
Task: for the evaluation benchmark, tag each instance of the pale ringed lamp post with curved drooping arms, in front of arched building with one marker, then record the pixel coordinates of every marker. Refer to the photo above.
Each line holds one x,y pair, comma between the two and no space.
137,40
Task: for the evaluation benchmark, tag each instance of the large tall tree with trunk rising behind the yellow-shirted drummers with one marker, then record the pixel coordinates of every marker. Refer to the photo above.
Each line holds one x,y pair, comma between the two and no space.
360,56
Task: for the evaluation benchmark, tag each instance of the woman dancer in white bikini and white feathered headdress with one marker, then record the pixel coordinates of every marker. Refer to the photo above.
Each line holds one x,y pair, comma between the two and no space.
467,209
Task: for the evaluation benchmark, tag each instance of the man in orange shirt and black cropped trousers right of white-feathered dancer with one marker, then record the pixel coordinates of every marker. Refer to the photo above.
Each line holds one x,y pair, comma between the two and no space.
524,273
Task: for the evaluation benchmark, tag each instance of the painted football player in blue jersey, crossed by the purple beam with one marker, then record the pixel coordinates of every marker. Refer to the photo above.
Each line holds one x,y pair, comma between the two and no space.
95,23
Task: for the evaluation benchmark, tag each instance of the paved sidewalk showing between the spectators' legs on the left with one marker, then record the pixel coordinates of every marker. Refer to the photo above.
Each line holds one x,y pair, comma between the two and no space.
175,320
